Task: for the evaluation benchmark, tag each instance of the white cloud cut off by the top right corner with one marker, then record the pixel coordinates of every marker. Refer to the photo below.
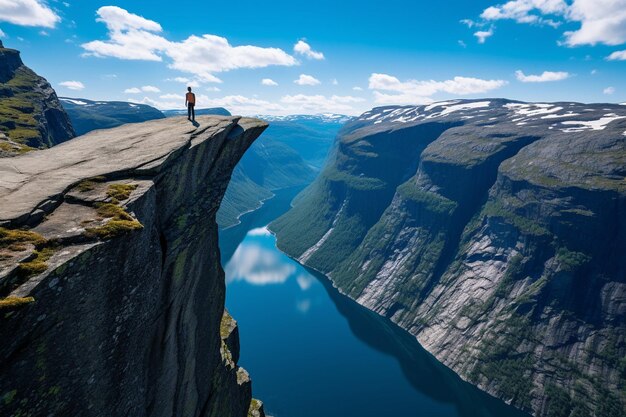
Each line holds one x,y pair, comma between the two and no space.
601,21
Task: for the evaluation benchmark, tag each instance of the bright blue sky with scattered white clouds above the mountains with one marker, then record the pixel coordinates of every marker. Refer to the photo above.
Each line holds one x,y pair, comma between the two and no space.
351,55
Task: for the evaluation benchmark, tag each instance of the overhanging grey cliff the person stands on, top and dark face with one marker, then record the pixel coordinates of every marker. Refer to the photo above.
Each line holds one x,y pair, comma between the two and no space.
112,290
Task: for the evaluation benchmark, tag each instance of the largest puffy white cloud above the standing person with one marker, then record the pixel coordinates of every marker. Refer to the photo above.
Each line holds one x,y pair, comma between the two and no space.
134,37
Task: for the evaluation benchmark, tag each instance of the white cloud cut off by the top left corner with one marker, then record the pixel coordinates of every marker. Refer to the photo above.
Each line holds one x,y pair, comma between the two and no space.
28,13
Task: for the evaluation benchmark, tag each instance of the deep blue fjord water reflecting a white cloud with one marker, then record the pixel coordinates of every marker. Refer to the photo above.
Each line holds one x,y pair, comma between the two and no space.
314,352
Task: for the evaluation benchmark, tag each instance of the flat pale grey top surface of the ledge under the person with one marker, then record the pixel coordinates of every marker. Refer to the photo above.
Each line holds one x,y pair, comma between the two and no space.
39,179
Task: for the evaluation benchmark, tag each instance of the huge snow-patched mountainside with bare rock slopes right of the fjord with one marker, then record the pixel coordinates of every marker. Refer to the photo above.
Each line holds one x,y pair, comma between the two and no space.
493,231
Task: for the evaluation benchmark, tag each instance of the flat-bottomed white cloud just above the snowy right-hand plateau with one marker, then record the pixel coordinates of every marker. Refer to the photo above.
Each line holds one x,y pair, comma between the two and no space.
420,92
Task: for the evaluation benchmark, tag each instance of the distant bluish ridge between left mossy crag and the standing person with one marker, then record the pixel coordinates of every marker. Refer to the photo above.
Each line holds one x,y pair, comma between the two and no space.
88,115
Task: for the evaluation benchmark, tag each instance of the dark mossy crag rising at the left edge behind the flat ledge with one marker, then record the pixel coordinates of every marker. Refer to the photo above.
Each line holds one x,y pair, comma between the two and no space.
30,113
